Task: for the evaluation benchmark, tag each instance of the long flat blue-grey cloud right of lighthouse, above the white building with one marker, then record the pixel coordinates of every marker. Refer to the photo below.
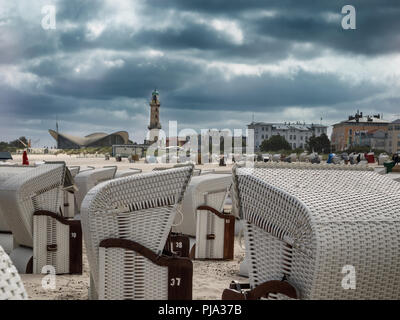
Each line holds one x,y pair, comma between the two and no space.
268,92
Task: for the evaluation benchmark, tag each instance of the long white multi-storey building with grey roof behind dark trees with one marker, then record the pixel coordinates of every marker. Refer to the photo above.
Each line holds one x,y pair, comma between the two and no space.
295,133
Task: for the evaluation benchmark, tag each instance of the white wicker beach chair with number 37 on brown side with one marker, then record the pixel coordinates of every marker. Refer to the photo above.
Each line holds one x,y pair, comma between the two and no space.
126,223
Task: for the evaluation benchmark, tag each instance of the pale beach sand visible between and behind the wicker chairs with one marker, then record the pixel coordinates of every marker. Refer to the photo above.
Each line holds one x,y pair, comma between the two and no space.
210,278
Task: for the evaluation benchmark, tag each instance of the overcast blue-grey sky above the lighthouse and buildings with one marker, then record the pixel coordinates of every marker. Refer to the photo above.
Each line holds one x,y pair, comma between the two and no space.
215,63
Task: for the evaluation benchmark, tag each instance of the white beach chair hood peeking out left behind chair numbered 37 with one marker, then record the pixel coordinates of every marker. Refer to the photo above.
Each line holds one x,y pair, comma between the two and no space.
87,179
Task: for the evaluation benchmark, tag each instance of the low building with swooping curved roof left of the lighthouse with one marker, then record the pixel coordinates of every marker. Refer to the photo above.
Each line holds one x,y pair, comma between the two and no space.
99,139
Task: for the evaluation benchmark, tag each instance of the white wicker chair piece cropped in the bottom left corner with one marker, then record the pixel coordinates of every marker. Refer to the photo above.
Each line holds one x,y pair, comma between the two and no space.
11,286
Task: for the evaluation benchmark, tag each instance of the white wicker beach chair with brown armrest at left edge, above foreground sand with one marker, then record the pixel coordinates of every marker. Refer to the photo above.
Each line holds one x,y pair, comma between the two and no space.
30,201
